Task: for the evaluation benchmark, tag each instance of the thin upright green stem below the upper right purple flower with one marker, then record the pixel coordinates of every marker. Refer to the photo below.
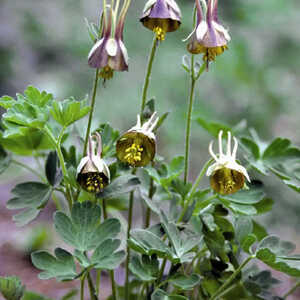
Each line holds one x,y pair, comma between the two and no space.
188,122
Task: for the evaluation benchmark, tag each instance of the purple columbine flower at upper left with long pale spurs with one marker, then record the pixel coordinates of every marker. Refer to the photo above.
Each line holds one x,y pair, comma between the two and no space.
109,53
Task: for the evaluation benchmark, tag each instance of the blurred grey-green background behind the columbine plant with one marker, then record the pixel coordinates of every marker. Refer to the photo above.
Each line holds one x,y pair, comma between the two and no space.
45,44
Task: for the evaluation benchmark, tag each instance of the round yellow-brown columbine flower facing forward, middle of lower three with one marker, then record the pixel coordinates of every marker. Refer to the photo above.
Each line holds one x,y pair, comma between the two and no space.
137,146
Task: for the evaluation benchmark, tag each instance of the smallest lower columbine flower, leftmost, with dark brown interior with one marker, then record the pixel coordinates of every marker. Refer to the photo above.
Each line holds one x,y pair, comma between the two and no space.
92,172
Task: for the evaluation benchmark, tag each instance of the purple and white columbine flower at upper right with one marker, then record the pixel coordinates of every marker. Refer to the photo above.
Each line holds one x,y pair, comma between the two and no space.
209,36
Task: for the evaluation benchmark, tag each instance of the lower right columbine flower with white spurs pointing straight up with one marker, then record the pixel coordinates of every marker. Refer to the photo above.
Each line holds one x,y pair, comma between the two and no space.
226,175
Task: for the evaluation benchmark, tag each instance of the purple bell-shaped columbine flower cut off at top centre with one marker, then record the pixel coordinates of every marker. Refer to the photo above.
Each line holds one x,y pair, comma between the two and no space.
161,16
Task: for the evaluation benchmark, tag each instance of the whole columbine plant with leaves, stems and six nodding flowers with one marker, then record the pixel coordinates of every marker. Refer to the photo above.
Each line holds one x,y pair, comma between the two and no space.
199,245
